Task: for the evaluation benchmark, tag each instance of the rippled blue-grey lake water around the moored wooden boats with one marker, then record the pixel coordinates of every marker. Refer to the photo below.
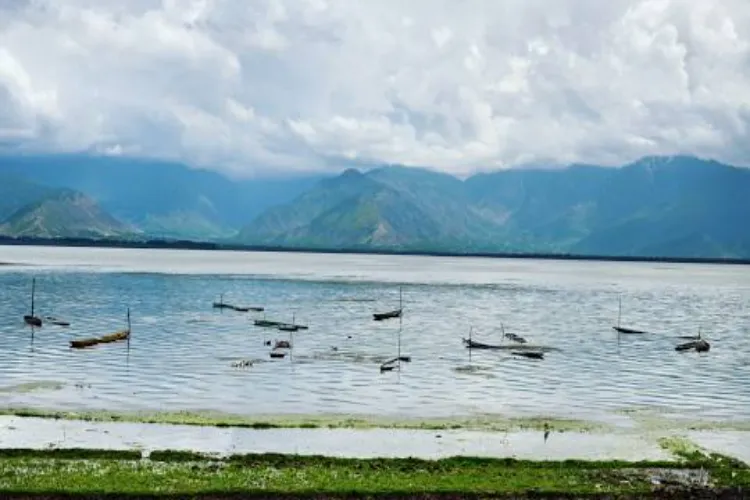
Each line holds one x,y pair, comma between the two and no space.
181,351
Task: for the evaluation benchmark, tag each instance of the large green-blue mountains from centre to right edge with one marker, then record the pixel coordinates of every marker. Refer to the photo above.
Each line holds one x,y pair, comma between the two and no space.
656,207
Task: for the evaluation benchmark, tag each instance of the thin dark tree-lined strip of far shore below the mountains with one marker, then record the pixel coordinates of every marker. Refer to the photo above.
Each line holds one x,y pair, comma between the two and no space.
198,245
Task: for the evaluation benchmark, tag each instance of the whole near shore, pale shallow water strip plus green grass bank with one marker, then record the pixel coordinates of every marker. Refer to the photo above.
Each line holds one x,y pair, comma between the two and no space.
48,458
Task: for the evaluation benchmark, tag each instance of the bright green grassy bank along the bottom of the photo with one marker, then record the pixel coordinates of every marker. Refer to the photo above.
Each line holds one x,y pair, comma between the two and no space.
91,472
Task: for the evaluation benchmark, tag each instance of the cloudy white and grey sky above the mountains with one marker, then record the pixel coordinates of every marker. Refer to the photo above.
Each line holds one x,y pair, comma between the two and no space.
268,86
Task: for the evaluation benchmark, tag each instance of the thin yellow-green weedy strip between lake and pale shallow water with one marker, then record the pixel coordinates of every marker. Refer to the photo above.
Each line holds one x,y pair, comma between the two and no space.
212,419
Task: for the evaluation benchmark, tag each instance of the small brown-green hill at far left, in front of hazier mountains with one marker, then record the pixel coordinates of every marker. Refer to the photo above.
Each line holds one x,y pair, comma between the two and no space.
64,213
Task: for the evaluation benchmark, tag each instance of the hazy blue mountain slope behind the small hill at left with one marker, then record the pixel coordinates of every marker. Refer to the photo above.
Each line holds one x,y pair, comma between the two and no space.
163,199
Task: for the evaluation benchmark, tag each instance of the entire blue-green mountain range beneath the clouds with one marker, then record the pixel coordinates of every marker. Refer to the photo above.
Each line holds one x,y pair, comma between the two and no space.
677,206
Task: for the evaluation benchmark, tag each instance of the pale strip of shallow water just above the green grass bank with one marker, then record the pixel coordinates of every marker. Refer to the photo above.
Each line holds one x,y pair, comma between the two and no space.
371,442
